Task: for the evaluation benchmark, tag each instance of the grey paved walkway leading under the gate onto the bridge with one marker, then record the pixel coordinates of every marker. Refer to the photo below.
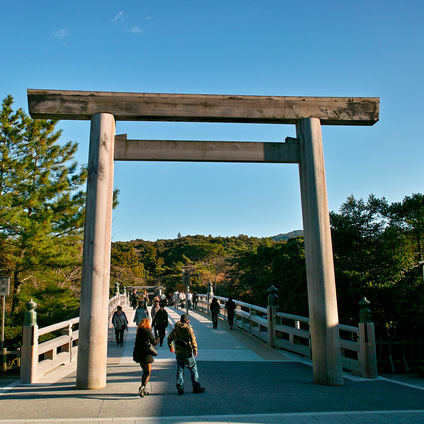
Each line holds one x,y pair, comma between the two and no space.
245,380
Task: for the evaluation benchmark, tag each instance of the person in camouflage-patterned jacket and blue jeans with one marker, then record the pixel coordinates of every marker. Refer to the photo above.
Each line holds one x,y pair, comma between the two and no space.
182,341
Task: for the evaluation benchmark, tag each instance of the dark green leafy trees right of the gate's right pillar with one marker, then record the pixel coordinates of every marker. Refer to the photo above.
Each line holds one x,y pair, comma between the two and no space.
376,253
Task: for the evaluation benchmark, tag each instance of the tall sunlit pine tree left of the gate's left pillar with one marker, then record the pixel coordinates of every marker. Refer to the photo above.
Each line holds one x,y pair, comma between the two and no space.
41,198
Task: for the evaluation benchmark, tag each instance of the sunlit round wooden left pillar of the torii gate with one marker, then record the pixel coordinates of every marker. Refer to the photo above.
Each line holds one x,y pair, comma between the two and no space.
92,347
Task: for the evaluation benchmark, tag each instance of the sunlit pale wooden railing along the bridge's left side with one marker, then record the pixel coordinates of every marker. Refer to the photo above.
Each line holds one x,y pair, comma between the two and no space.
40,357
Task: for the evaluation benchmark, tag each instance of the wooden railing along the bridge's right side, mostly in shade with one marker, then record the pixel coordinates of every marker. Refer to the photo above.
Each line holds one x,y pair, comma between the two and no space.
291,333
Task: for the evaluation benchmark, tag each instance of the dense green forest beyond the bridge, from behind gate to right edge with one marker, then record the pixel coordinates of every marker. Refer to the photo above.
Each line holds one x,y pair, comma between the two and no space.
377,253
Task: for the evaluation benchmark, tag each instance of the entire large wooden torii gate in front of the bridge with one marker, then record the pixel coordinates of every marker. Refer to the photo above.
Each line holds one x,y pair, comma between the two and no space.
307,113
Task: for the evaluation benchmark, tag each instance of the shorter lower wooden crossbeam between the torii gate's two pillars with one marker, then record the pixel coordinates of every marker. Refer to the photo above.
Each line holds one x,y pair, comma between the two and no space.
205,151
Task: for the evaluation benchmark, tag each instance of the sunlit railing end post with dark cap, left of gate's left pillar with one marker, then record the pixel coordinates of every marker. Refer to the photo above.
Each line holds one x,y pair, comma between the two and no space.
29,352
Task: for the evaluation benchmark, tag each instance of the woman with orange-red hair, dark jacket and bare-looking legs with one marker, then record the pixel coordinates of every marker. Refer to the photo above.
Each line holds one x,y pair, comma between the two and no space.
142,354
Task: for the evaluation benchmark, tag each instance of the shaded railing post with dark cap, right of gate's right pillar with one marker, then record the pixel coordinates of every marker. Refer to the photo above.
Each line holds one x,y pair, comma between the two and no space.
367,347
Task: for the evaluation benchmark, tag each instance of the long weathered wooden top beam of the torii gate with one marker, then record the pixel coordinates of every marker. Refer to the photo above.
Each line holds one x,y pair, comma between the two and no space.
64,104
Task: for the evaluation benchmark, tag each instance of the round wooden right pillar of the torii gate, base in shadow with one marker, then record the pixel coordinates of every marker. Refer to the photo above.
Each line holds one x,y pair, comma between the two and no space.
324,321
